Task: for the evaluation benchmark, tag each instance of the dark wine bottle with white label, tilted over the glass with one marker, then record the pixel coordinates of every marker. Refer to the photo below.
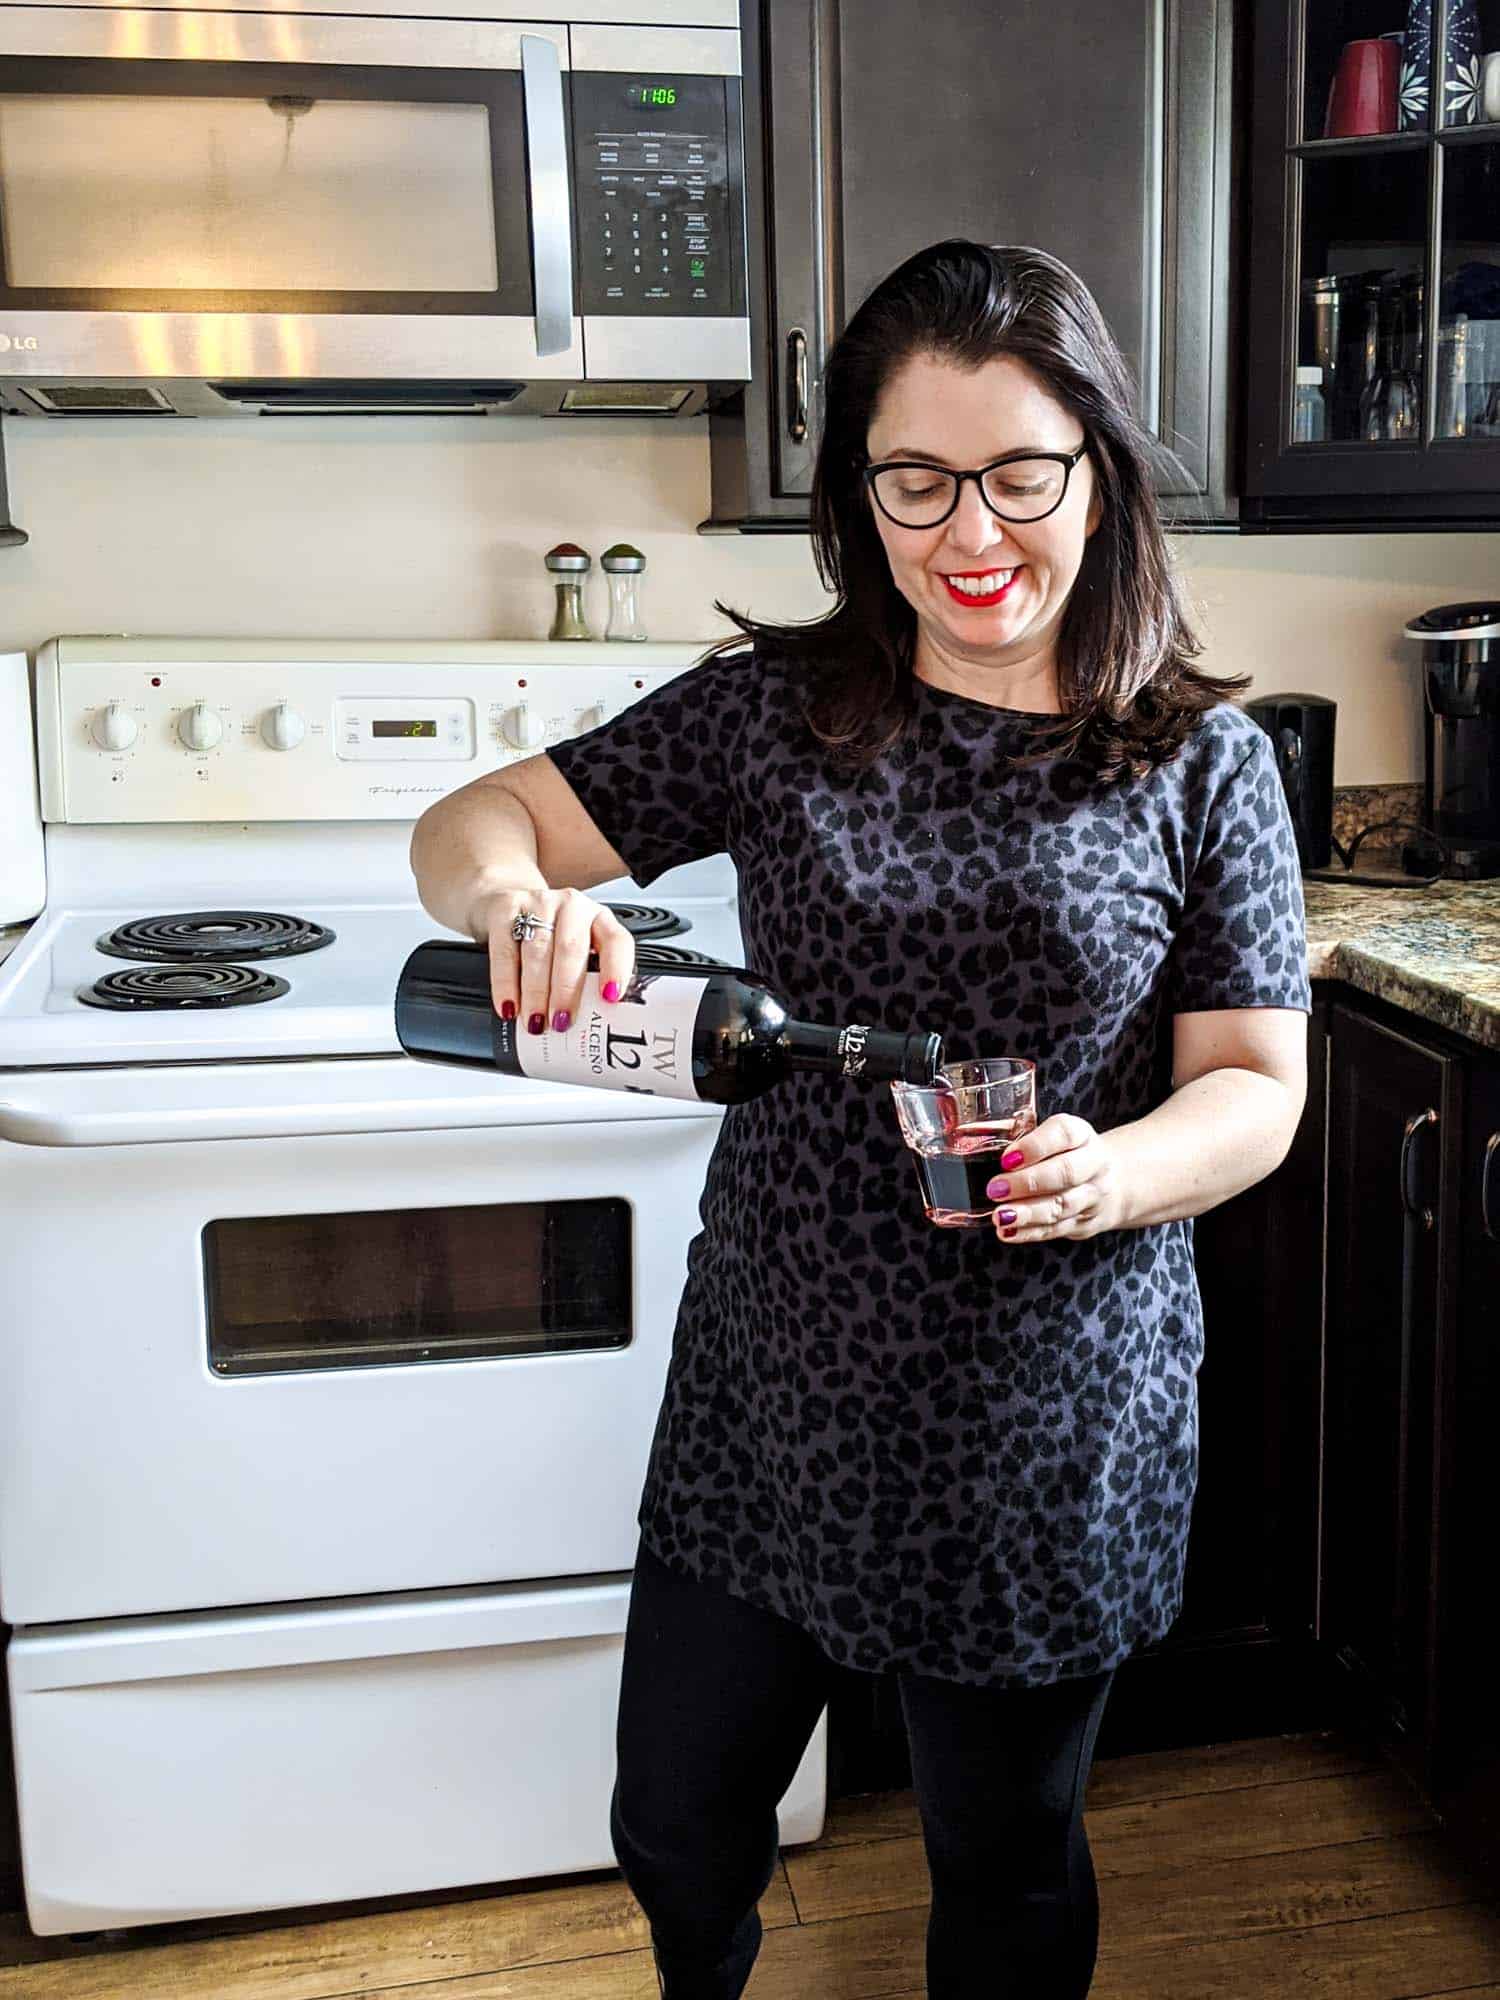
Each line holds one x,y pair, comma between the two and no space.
707,1033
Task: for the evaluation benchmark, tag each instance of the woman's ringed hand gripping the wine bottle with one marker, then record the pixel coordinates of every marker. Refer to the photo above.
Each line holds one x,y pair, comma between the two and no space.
543,981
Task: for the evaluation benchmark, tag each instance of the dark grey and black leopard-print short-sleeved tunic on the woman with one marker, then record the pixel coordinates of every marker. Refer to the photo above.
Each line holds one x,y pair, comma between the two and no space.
929,1449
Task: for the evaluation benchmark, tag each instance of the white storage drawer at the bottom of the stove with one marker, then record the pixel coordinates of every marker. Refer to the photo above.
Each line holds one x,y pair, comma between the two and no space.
215,1763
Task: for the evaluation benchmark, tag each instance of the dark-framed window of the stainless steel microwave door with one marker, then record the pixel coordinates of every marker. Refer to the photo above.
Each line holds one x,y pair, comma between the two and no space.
271,189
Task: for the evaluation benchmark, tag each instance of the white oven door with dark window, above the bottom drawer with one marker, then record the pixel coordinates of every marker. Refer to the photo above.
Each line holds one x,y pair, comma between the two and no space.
303,1331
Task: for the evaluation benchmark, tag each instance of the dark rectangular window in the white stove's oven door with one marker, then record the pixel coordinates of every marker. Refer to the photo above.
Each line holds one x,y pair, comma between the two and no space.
417,1285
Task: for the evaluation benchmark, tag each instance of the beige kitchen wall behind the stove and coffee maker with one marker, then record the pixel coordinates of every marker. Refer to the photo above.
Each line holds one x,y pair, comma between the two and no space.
389,527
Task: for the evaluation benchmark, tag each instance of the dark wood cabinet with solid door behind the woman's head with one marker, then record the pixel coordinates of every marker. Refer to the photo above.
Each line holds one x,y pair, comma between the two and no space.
883,127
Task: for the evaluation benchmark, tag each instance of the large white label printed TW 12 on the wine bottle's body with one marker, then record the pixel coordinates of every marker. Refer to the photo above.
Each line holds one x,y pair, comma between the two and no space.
639,1043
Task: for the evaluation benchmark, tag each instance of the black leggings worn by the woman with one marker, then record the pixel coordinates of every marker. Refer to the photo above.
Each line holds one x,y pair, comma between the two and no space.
717,1705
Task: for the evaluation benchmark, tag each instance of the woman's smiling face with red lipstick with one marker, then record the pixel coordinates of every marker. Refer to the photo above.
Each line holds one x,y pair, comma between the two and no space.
1017,575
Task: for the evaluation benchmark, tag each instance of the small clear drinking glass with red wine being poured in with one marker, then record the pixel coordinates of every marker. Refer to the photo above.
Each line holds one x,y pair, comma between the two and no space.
961,1127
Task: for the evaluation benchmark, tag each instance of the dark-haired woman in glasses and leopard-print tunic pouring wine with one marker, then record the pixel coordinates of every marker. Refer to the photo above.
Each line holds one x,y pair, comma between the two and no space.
989,795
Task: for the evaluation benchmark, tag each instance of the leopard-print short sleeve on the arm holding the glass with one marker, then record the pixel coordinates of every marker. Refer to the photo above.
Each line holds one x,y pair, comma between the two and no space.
1243,933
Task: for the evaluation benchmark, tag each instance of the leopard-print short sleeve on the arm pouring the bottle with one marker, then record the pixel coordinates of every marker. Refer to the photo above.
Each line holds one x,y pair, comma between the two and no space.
655,779
